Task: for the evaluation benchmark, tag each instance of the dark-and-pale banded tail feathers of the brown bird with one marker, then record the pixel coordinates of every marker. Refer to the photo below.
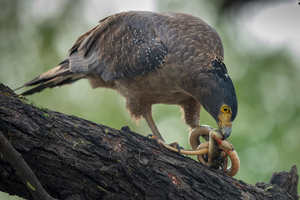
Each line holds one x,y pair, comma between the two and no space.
57,76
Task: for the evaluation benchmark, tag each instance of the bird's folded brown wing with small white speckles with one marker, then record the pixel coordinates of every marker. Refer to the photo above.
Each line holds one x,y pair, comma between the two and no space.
121,46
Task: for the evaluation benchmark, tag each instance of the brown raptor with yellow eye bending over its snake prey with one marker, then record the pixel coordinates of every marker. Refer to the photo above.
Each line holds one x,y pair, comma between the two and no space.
152,58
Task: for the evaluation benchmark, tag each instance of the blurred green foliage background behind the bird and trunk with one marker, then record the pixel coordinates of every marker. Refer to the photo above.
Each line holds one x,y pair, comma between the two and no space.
36,35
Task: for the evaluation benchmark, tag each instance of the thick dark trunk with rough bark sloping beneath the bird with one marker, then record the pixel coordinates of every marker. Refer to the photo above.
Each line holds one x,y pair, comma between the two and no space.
78,159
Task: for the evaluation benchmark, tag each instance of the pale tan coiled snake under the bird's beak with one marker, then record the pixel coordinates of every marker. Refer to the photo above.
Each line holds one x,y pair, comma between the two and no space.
214,143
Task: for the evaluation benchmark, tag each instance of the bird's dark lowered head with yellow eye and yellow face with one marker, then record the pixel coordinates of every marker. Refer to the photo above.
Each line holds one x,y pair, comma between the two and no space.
217,96
